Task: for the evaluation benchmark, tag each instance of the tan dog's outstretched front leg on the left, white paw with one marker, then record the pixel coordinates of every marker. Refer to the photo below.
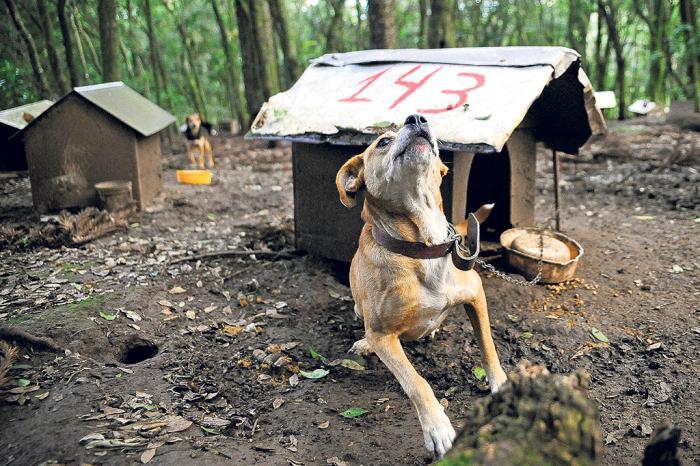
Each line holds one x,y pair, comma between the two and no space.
438,432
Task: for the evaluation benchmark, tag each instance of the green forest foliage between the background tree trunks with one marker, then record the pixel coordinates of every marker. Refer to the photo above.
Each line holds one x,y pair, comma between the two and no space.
477,24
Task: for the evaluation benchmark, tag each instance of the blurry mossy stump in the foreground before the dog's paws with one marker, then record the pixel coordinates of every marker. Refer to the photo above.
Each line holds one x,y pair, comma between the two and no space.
537,418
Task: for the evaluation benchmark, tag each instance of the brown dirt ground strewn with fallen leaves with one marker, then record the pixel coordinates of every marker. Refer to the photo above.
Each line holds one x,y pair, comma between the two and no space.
224,339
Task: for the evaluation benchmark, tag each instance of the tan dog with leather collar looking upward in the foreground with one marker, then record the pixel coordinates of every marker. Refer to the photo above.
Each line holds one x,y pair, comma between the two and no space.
401,297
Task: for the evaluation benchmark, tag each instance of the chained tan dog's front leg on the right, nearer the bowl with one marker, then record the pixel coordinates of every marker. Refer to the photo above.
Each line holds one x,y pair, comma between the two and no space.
479,317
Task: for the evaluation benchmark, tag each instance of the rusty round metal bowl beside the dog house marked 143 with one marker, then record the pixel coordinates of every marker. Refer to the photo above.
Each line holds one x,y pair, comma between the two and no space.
528,265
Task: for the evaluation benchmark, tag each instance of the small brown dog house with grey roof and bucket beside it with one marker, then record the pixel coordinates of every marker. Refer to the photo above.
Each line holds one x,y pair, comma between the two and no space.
94,133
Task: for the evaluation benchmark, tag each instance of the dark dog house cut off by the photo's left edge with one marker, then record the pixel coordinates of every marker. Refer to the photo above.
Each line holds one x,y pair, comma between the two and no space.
12,157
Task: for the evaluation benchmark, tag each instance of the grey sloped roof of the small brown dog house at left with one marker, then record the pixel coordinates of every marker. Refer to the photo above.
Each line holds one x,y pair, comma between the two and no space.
127,106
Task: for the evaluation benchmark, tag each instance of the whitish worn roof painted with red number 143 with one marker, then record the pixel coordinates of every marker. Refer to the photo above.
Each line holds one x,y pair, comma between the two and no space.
474,98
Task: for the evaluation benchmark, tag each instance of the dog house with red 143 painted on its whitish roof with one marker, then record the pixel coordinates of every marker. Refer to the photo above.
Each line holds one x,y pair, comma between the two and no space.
487,106
